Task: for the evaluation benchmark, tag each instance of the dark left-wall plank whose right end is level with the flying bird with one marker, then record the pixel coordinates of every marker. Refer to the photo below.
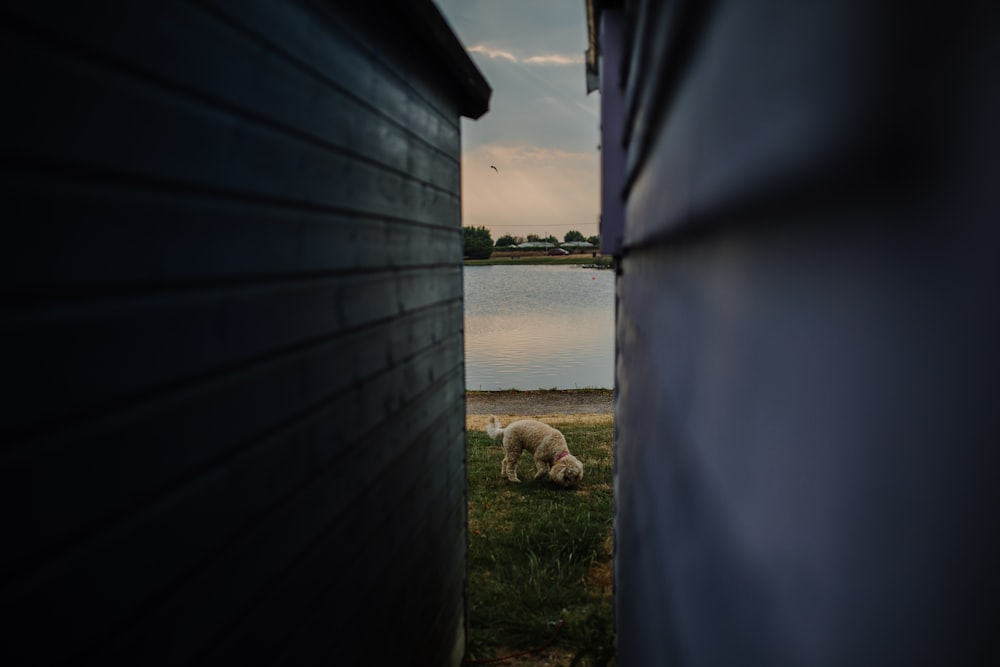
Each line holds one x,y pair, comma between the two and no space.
196,56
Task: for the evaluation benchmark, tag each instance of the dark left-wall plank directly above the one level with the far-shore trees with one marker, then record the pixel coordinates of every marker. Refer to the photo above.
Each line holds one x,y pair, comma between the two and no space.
139,131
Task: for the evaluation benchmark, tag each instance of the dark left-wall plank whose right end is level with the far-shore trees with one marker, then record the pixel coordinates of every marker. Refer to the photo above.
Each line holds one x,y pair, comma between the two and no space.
84,242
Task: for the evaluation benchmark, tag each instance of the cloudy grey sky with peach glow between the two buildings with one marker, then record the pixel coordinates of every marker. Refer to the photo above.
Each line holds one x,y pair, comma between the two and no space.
542,130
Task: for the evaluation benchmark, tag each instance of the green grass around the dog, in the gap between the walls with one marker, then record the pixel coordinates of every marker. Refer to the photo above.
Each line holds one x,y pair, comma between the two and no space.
540,554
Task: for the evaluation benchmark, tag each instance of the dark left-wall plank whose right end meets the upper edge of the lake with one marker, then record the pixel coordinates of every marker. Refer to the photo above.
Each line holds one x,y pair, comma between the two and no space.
86,354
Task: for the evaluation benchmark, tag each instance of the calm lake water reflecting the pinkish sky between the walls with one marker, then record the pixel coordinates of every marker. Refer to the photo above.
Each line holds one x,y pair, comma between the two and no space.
538,327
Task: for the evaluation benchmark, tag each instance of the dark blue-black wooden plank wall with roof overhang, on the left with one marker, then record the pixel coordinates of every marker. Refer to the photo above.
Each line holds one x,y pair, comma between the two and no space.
232,333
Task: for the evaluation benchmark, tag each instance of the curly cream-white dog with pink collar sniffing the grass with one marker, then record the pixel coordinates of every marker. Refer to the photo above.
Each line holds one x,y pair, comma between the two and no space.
552,456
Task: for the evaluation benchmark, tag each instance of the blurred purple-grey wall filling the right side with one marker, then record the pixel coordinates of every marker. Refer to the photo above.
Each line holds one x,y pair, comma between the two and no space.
807,420
